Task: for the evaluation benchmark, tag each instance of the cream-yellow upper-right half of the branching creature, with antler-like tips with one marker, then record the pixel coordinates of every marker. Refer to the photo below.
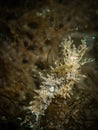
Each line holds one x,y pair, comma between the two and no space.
70,68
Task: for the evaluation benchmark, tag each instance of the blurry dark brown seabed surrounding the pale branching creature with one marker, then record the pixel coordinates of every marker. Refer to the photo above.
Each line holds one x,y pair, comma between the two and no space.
30,34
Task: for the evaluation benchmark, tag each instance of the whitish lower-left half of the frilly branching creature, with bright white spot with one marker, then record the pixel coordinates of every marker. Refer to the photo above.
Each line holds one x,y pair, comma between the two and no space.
49,87
